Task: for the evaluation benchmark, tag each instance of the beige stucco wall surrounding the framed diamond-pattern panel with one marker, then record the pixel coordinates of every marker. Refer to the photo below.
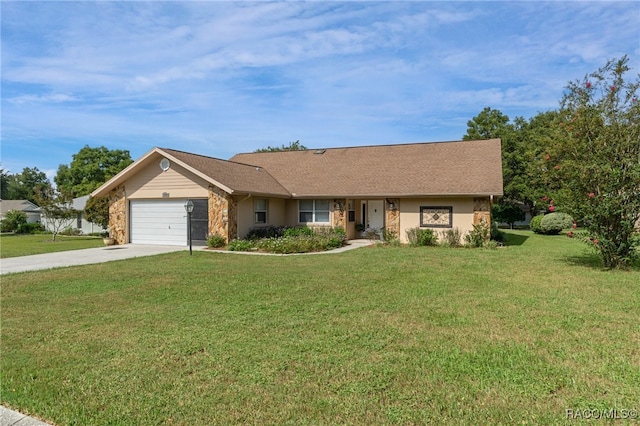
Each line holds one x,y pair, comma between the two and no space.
410,214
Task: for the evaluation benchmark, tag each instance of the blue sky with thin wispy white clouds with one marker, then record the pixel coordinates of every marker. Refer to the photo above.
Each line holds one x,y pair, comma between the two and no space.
218,78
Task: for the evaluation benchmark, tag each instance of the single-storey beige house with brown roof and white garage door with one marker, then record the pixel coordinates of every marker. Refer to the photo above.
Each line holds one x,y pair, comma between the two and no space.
439,185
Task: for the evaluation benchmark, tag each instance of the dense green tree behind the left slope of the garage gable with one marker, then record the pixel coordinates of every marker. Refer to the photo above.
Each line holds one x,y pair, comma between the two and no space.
90,168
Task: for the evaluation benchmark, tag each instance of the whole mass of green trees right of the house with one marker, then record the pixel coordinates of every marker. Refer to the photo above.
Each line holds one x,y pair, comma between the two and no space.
582,159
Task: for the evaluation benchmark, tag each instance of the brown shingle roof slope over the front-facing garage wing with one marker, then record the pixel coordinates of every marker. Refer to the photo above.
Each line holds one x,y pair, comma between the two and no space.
238,177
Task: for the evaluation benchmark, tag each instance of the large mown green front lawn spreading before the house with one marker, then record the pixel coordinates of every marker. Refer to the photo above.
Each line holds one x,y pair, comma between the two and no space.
377,335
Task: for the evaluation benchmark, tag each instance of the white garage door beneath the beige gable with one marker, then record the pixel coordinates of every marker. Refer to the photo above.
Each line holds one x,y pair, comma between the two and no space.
158,222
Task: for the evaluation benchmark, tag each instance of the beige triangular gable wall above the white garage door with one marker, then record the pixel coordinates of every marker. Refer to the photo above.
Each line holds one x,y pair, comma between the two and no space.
177,182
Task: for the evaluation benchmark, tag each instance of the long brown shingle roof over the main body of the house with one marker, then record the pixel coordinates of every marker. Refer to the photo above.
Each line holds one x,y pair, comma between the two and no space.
439,168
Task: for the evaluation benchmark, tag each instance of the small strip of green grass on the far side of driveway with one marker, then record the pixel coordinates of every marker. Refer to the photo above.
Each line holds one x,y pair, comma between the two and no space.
14,245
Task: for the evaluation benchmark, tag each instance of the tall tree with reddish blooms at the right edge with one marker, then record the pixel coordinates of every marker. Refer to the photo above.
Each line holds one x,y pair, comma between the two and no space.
597,160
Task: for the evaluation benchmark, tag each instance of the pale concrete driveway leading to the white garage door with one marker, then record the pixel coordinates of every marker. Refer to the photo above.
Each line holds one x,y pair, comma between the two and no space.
83,257
